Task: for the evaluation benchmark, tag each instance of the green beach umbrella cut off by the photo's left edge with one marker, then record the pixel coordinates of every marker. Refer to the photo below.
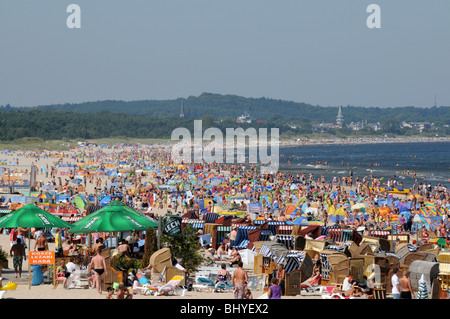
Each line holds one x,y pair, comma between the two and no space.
32,216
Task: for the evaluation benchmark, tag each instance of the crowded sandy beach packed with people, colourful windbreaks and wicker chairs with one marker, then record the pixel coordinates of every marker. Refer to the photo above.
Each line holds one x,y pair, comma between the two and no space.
285,235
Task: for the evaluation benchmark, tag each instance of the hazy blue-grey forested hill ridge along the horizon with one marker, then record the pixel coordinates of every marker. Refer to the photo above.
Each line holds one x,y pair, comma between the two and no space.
232,106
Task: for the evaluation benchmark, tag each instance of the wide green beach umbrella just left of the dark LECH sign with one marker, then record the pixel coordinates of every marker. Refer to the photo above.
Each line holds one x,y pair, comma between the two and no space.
115,217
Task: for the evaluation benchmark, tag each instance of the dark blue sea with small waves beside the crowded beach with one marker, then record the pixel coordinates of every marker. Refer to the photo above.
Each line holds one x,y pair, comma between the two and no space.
430,161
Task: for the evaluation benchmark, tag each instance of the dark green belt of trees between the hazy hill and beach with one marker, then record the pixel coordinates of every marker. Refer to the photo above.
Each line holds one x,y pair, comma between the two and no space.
60,125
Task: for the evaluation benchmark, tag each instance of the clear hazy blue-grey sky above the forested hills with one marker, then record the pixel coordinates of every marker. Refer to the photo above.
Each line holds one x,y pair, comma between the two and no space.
315,51
